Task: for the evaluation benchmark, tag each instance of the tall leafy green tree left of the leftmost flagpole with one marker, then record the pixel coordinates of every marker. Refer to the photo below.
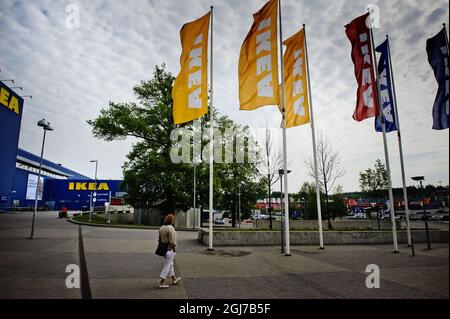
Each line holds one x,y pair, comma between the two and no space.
149,174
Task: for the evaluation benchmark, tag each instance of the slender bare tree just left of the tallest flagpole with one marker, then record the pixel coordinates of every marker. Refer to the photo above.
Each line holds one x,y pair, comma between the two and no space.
271,162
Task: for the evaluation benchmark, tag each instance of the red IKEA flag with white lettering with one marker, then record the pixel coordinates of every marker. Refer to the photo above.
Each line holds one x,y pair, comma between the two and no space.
367,101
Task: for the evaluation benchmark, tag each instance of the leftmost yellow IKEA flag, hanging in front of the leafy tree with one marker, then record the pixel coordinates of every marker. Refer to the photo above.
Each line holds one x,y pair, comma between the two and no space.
190,90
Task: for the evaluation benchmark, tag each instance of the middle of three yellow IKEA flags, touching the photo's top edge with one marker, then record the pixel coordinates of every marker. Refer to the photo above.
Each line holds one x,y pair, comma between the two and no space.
258,61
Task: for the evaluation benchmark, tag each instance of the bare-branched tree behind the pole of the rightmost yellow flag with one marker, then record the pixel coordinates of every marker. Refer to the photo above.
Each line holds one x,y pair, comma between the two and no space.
328,162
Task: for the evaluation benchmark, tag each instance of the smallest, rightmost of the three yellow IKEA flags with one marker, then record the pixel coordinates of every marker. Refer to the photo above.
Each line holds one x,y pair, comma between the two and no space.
295,85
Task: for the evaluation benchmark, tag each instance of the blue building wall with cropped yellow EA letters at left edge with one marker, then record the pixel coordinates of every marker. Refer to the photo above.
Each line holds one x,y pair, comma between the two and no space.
11,107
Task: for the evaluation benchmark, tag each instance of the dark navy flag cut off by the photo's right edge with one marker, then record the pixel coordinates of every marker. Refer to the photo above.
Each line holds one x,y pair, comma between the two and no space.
437,50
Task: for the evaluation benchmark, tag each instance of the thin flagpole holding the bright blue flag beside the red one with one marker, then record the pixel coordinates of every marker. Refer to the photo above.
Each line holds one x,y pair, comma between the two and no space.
400,146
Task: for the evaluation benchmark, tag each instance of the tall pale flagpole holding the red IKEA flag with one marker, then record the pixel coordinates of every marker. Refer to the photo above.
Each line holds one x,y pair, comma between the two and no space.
386,152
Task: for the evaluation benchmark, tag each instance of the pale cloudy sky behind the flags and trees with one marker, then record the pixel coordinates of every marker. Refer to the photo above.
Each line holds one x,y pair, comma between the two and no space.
74,72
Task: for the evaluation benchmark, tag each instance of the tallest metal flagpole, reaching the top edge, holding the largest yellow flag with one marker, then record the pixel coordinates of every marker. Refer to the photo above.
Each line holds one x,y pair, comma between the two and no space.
286,192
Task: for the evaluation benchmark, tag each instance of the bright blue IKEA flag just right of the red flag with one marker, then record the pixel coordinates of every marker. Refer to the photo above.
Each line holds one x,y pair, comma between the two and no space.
385,83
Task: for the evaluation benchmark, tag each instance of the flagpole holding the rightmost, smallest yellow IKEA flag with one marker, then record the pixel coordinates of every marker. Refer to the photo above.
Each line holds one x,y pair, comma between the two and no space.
313,134
